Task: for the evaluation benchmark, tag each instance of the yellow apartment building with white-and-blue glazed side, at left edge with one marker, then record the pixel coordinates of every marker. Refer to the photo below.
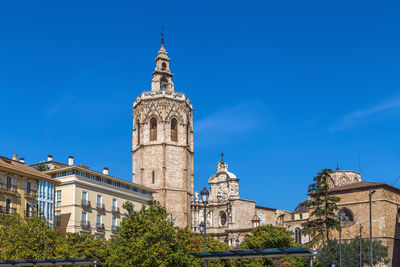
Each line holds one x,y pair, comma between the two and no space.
24,189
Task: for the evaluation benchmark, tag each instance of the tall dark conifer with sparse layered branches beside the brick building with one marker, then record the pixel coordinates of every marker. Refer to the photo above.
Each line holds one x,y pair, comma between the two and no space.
323,207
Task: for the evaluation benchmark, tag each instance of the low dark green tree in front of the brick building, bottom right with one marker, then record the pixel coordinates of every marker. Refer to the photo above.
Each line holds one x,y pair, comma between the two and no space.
329,253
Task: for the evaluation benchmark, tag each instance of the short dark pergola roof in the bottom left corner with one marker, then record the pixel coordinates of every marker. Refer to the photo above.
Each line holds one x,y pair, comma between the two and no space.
48,262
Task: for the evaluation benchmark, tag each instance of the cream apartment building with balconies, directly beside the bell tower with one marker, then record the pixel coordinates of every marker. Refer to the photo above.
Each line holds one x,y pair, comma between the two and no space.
87,201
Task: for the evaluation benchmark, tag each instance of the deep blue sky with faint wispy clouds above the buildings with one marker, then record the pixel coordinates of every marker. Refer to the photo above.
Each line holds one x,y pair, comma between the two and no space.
283,88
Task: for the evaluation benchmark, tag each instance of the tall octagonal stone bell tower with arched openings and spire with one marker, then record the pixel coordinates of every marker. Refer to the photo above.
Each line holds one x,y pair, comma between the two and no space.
162,142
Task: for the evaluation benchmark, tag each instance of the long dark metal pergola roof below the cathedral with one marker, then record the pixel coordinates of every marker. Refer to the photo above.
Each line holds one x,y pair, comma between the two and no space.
258,253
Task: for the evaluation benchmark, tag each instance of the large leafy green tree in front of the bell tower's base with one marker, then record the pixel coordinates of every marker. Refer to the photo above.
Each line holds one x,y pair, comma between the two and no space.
146,238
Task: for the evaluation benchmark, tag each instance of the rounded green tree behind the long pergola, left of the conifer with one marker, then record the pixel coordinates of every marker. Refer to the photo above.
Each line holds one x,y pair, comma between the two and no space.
268,236
